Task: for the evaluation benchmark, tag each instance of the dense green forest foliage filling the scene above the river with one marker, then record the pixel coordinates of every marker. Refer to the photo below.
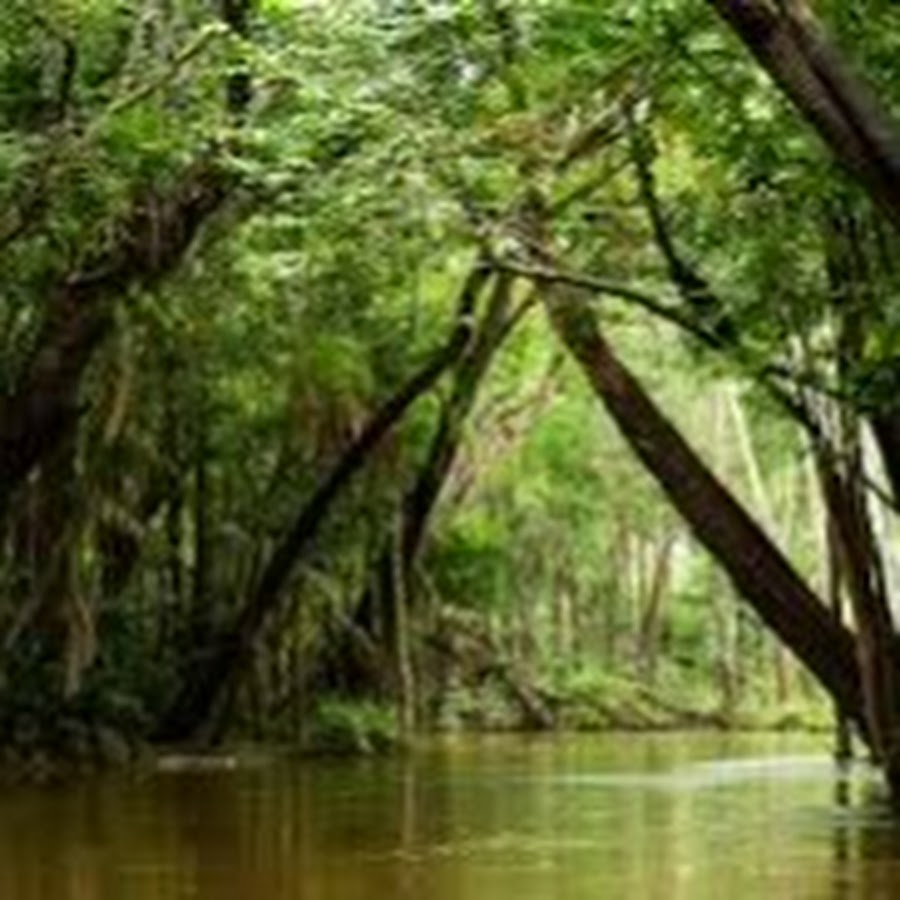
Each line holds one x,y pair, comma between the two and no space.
286,426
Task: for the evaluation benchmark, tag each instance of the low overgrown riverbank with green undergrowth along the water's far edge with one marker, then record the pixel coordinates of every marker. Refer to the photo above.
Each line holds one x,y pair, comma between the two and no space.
70,746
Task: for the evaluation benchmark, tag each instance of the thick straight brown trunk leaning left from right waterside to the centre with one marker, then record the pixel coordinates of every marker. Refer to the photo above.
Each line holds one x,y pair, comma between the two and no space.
758,570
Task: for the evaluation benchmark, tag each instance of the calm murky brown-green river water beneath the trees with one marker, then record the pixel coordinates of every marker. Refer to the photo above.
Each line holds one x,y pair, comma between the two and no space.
489,818
